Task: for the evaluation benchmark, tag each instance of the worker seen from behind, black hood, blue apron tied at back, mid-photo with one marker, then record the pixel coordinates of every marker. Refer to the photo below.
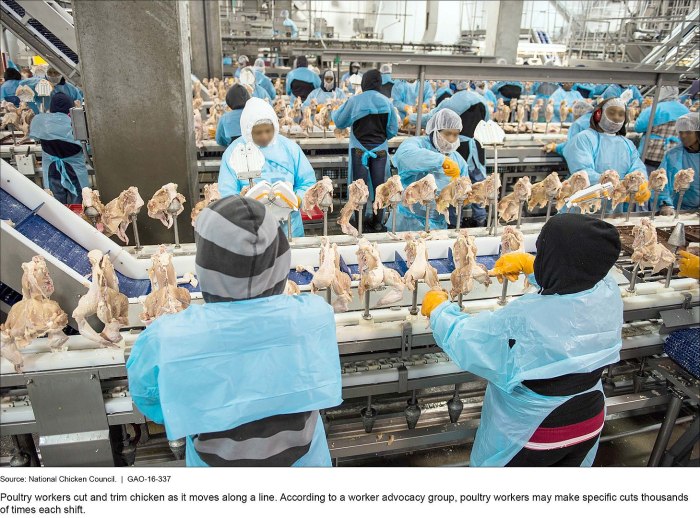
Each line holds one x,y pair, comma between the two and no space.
373,121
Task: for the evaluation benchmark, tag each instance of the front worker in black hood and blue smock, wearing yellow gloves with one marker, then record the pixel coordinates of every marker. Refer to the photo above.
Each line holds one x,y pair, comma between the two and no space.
544,353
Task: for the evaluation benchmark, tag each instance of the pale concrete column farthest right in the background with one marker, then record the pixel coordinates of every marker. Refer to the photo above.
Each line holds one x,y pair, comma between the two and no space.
503,21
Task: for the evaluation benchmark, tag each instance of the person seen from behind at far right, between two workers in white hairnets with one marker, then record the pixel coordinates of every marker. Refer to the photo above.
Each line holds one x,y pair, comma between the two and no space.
663,128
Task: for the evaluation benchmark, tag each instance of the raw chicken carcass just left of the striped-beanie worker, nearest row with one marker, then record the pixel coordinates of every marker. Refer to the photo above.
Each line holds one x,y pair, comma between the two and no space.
165,297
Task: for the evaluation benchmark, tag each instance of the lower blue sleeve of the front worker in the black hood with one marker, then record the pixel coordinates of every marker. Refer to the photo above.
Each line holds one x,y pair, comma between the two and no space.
477,344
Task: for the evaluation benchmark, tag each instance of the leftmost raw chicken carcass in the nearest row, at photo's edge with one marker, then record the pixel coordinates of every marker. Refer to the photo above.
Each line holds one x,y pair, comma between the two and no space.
33,316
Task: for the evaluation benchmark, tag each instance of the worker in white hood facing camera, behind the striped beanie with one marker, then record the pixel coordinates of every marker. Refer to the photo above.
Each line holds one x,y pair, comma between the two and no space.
284,159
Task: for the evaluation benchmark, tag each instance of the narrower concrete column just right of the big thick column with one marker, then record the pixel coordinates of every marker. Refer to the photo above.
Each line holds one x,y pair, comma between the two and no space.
205,33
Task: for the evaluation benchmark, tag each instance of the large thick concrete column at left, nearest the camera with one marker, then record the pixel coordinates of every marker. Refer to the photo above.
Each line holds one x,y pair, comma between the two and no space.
135,58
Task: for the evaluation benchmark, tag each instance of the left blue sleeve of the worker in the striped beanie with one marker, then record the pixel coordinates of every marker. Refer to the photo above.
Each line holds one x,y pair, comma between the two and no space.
142,370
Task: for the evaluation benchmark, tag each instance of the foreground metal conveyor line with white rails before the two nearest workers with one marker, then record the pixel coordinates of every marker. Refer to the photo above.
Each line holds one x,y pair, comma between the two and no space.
400,391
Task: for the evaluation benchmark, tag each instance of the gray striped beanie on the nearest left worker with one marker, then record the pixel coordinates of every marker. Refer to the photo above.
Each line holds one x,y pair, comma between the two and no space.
242,253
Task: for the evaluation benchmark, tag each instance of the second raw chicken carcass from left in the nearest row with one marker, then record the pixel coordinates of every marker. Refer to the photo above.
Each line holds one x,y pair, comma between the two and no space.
104,300
